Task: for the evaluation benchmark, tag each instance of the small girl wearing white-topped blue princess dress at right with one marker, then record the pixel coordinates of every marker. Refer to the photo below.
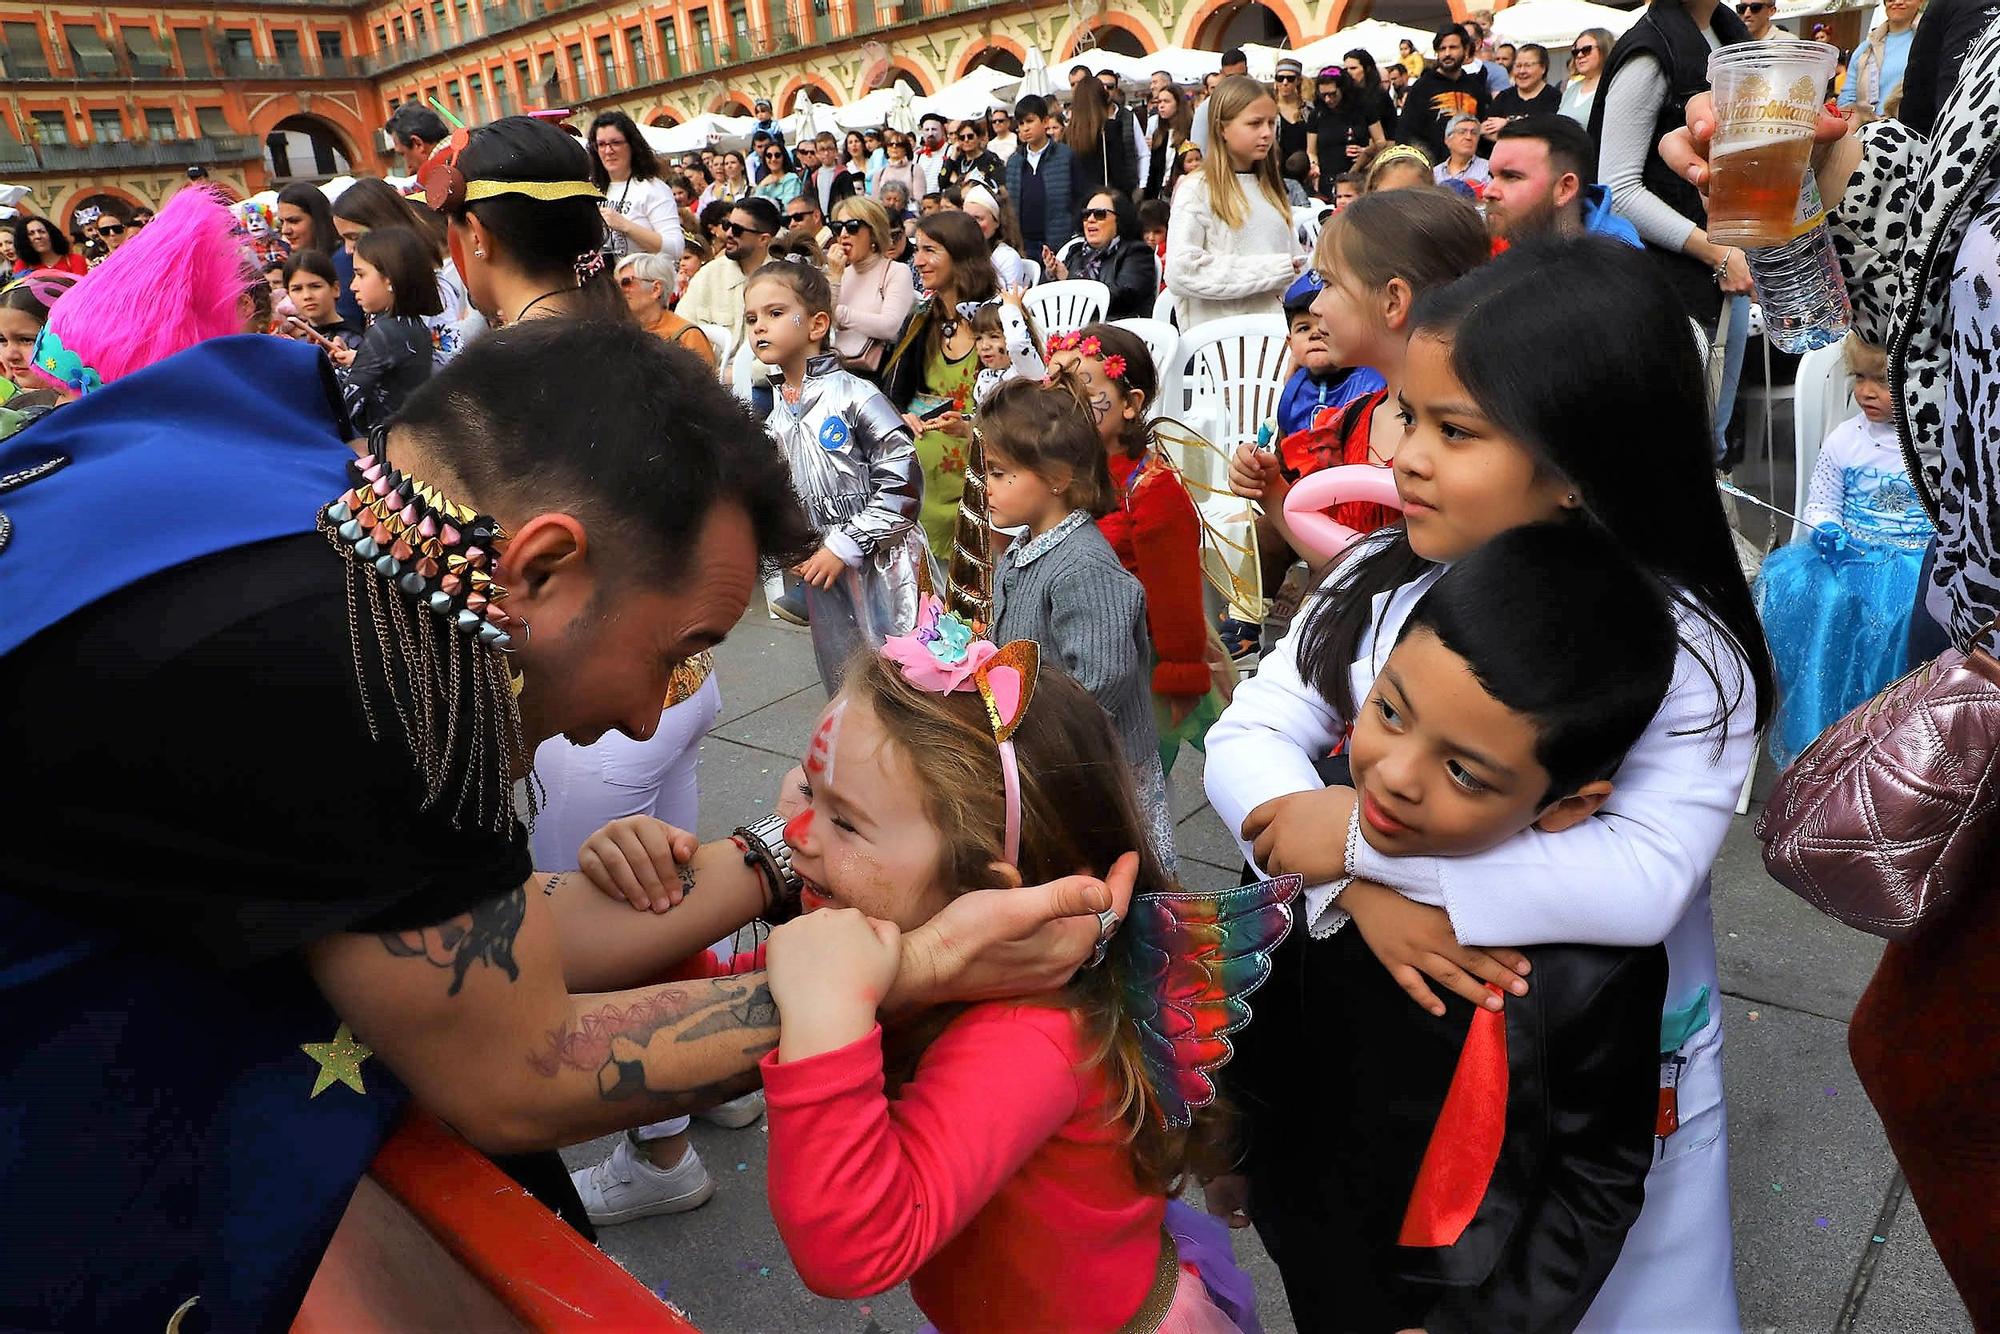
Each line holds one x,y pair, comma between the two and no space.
1837,605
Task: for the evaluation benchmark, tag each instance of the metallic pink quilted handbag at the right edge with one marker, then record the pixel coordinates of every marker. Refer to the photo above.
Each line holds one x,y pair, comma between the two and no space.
1895,809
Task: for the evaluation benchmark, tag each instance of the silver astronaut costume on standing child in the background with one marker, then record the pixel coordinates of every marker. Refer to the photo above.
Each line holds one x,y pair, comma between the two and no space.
855,469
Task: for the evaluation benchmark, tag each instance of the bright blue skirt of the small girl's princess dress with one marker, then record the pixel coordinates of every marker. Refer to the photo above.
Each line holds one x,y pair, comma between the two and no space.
1837,629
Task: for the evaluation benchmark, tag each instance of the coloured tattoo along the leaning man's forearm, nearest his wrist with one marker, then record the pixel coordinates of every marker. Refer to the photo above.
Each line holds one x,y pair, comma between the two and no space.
631,1045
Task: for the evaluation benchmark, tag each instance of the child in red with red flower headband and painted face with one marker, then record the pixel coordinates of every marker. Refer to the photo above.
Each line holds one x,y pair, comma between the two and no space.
1155,529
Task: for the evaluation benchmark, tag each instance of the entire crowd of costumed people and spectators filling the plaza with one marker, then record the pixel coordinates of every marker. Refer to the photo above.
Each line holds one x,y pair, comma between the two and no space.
365,665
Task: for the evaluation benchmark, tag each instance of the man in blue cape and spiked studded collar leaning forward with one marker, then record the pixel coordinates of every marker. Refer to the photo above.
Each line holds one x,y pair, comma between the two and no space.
271,883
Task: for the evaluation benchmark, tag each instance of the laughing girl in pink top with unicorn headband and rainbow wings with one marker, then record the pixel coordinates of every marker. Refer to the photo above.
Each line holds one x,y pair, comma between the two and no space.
1013,1161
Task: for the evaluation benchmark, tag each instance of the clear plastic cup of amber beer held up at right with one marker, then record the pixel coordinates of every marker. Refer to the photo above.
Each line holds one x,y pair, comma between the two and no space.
1767,99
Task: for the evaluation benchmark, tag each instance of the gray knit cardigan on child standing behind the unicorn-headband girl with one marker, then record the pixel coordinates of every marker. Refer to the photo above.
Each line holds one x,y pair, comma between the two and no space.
1067,593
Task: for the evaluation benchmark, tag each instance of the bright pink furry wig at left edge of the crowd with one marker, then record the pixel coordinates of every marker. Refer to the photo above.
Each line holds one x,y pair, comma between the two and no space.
177,283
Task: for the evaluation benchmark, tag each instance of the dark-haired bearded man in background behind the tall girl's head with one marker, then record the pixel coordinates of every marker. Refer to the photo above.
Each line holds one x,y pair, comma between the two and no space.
1545,179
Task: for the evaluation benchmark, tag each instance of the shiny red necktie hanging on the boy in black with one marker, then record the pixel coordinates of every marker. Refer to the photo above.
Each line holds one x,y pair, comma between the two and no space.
1465,1145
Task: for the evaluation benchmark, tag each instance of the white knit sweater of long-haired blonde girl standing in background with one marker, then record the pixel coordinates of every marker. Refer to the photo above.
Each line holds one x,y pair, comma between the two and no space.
1219,271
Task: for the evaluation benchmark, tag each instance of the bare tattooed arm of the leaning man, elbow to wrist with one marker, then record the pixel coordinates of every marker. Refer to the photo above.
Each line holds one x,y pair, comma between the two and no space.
477,1019
